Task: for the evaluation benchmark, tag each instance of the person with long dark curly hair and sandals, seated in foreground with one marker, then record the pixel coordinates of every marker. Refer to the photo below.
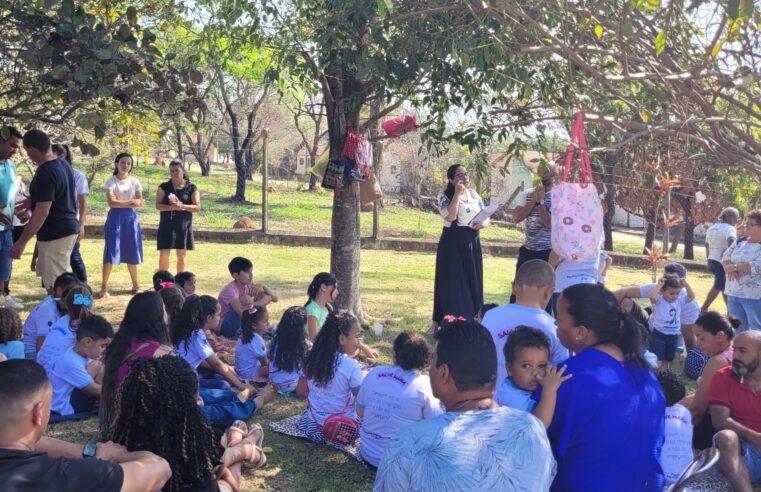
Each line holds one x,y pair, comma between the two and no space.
158,412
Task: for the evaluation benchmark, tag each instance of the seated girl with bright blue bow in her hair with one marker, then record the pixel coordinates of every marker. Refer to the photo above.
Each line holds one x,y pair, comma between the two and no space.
62,335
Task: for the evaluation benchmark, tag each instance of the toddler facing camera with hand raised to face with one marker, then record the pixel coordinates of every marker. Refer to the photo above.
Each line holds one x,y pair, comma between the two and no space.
527,354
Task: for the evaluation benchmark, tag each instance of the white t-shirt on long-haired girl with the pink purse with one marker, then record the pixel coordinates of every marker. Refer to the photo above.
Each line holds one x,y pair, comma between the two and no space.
333,397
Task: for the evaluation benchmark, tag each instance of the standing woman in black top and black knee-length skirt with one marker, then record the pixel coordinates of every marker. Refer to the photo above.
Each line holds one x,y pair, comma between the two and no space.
177,200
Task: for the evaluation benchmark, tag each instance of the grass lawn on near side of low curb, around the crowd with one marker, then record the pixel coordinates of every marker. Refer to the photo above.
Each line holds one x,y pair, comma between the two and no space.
397,289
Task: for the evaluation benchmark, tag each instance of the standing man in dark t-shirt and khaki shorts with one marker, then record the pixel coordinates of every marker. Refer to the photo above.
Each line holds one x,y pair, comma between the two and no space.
53,202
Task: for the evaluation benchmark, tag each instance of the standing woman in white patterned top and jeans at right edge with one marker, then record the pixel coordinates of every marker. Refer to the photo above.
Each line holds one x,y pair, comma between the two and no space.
742,264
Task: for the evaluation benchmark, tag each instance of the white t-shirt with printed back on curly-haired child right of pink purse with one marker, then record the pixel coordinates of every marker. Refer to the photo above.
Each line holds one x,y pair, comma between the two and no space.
392,398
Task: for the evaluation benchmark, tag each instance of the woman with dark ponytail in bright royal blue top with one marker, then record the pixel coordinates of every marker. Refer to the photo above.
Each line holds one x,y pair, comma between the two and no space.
608,428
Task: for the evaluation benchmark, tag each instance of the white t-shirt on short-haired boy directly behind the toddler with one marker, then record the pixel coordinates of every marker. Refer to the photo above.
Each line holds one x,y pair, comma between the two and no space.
501,320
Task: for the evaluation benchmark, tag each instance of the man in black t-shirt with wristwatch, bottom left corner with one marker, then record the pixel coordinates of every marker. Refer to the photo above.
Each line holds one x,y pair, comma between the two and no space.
31,462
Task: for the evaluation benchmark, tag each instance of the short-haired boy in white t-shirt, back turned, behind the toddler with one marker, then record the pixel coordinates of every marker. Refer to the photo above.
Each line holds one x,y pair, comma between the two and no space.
533,287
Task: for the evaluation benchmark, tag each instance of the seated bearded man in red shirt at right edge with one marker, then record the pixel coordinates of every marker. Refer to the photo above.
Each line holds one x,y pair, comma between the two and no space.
735,403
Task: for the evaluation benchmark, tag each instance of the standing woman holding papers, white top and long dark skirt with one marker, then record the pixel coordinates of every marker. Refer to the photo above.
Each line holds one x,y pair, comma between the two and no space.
459,284
